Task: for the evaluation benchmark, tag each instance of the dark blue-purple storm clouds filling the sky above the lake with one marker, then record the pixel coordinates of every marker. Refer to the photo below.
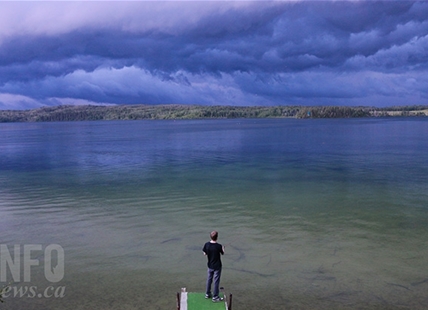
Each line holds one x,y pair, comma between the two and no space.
228,53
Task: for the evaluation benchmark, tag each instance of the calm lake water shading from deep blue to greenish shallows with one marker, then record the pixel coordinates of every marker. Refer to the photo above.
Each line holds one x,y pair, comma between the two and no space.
314,214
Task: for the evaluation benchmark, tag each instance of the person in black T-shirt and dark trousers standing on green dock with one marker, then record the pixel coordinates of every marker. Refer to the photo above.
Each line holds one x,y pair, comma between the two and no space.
213,251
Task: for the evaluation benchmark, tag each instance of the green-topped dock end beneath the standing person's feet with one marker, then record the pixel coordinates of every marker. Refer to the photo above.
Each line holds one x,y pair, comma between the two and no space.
197,301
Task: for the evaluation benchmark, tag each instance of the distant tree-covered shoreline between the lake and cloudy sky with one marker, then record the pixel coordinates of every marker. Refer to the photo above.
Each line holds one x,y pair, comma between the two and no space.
175,111
